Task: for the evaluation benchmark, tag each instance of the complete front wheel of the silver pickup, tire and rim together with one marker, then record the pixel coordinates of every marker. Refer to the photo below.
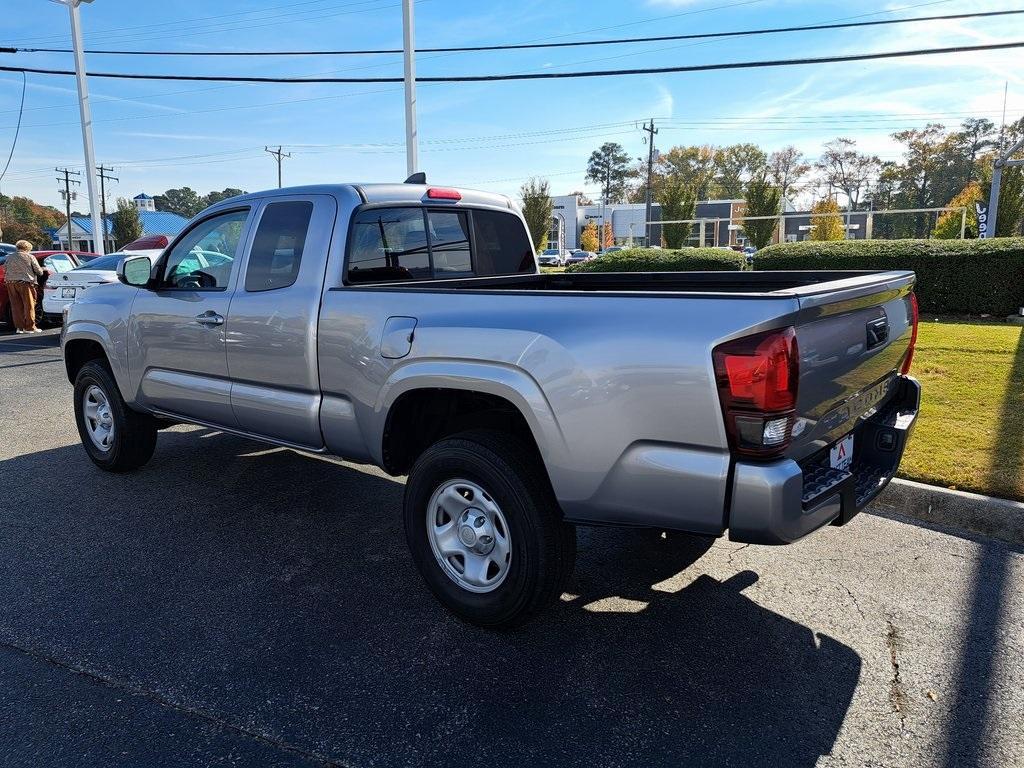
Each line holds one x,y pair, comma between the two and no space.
116,438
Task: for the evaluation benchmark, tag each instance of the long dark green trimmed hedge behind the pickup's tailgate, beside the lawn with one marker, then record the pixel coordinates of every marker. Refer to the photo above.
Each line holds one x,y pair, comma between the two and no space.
969,277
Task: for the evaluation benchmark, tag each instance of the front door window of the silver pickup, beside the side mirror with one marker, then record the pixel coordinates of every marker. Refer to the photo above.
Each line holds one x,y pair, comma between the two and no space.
203,260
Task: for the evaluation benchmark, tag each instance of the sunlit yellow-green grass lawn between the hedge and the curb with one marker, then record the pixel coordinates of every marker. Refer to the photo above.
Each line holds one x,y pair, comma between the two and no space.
970,435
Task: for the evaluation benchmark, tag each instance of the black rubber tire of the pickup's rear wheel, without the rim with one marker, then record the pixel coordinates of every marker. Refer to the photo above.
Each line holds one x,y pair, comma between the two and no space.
543,546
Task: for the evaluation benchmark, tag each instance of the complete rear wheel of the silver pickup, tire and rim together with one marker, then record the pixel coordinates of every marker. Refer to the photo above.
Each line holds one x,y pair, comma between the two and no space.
486,531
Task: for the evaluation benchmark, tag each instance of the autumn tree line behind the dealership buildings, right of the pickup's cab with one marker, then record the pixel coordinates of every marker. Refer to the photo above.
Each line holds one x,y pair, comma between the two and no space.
940,167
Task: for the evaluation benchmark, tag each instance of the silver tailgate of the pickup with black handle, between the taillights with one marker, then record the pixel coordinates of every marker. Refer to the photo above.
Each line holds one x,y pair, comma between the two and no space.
854,336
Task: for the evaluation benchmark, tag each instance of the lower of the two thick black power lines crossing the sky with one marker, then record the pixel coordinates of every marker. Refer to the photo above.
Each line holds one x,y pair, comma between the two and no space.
544,75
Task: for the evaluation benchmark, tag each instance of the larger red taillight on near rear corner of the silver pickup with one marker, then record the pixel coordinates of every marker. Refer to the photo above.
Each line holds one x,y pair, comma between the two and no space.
757,387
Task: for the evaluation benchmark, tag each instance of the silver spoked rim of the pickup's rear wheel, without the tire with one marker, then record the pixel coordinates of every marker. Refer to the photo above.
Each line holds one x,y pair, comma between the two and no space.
470,536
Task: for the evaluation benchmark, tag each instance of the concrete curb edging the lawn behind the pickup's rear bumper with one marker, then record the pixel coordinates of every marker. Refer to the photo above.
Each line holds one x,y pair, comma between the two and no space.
987,516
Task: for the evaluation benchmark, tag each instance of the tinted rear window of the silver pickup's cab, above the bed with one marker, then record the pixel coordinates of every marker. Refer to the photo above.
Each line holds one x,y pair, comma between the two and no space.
409,243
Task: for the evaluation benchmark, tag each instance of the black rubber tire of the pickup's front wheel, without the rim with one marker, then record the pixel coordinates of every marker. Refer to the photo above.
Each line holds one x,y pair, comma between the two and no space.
135,435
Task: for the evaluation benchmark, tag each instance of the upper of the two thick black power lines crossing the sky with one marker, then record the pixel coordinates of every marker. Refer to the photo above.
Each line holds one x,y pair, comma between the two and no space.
526,47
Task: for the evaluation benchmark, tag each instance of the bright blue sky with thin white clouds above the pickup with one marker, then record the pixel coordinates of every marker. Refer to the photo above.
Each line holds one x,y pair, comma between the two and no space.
494,136
